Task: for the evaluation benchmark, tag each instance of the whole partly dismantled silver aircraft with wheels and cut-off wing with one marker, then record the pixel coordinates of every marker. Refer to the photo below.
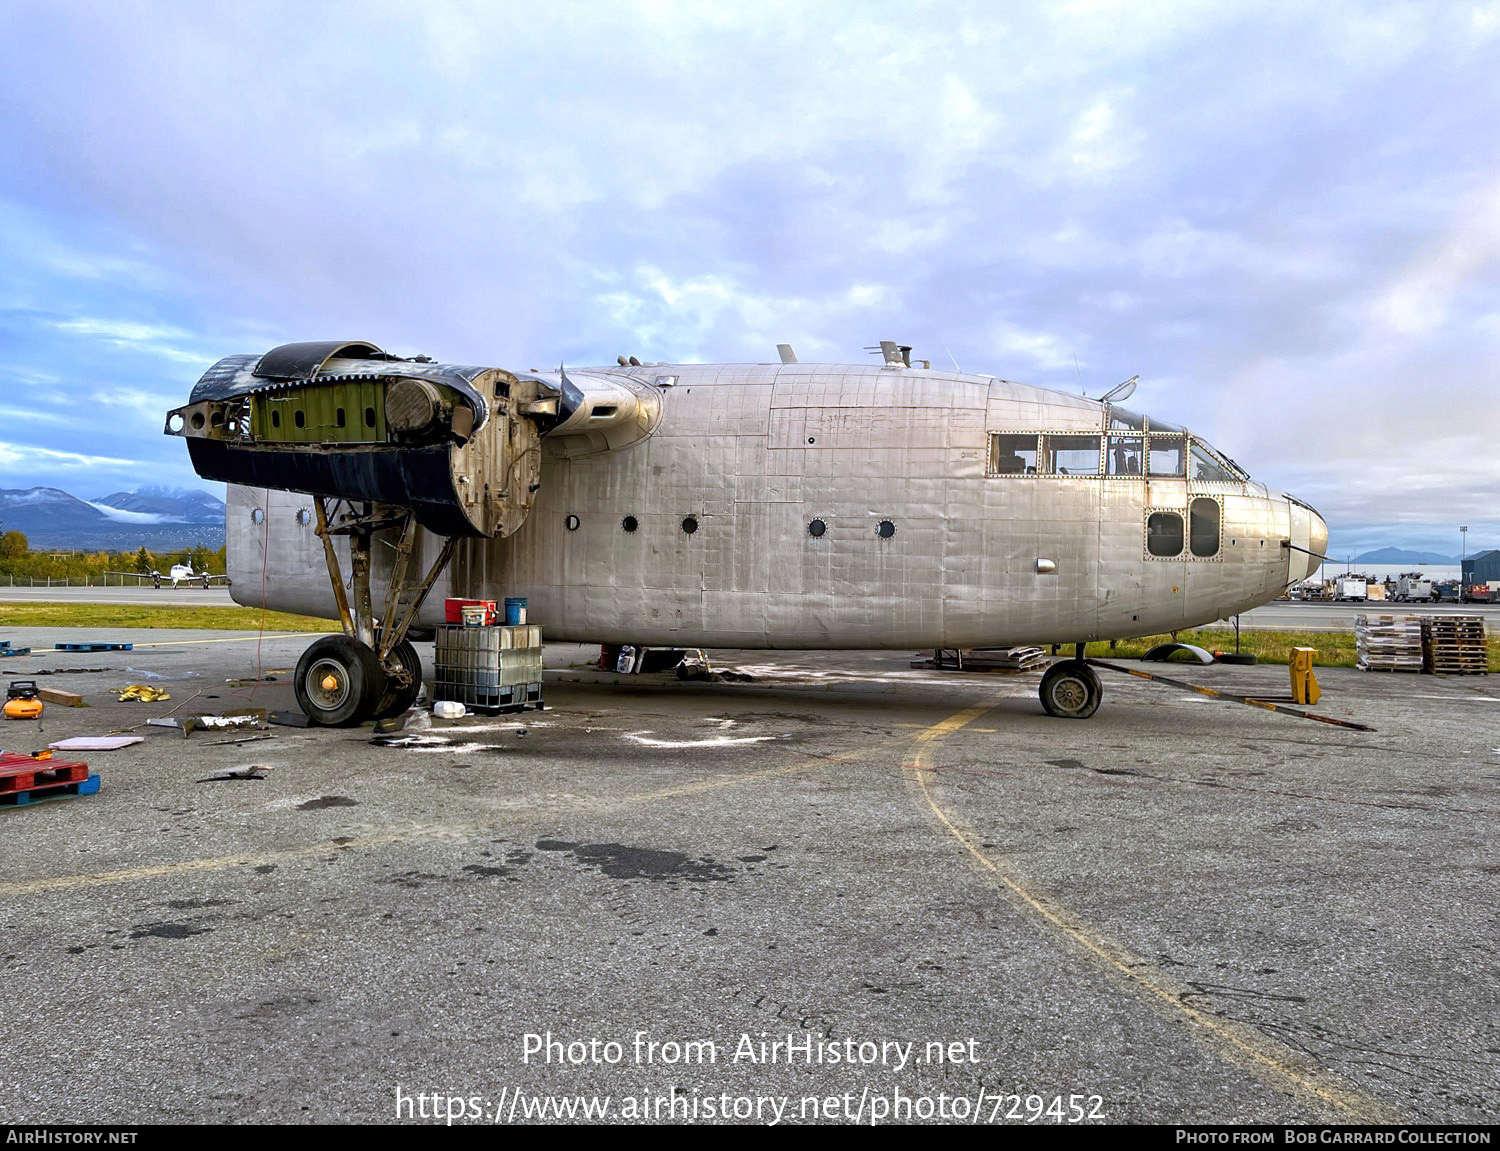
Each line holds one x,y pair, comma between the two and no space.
721,506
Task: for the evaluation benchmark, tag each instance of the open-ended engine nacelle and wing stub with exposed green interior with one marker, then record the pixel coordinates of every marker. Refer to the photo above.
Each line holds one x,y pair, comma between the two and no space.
458,445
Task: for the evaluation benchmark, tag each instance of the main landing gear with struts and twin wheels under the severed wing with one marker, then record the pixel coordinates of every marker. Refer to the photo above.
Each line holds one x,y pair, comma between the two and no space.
371,672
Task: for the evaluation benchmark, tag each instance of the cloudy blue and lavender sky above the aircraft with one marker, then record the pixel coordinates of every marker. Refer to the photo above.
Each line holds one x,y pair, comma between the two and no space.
1286,218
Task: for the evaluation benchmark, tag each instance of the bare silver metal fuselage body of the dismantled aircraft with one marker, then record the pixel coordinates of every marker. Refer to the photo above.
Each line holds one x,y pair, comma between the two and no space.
755,454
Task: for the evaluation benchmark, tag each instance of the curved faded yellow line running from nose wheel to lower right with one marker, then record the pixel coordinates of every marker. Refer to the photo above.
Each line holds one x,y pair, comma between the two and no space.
1246,1045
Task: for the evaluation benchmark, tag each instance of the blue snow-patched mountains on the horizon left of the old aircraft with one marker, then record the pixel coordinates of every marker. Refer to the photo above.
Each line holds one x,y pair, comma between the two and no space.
161,518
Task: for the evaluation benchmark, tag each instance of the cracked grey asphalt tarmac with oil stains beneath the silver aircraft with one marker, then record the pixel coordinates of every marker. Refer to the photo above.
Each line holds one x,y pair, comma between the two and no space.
1177,912
